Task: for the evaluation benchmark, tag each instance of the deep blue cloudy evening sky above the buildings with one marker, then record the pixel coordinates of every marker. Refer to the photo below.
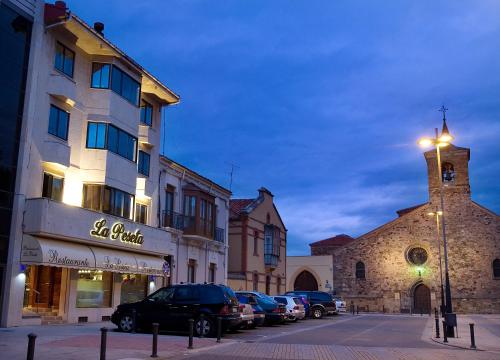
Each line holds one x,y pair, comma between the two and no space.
320,101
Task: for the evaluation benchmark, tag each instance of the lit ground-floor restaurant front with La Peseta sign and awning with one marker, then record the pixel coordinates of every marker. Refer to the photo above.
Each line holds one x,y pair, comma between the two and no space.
78,279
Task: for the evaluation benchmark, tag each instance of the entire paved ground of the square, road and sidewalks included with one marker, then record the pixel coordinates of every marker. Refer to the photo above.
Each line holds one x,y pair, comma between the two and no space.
370,336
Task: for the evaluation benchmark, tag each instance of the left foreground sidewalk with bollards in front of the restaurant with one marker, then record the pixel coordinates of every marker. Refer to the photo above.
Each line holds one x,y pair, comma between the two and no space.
62,342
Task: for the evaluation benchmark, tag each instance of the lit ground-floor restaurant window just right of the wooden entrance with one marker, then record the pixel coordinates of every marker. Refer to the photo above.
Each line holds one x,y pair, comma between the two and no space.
94,289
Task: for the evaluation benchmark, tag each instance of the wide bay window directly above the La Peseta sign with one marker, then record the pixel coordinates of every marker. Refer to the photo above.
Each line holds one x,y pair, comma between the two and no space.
108,200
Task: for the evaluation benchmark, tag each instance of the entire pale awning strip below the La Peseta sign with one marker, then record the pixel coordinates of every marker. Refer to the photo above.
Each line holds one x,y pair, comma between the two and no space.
40,251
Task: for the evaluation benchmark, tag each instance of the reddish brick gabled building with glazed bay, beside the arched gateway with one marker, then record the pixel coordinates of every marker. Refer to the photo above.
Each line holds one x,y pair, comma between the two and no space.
257,245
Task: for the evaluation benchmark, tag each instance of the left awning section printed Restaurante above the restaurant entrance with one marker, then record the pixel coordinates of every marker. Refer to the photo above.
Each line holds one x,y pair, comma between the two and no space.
56,253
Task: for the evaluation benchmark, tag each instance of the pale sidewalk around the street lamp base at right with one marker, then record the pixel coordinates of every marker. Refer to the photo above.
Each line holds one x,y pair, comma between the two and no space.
486,331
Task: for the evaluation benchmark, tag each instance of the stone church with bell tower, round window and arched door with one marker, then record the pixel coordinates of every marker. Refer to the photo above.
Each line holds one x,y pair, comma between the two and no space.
395,267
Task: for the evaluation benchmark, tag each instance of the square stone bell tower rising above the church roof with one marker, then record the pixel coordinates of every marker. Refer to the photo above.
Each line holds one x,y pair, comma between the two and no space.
454,170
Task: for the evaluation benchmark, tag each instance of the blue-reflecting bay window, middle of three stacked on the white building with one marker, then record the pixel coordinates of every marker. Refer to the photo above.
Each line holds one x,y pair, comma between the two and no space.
107,136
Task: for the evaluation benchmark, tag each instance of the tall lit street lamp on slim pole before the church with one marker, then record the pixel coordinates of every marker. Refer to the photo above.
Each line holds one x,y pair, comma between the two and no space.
439,142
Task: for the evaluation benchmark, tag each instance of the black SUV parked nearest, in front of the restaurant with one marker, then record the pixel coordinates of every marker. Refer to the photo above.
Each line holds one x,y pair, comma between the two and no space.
171,307
